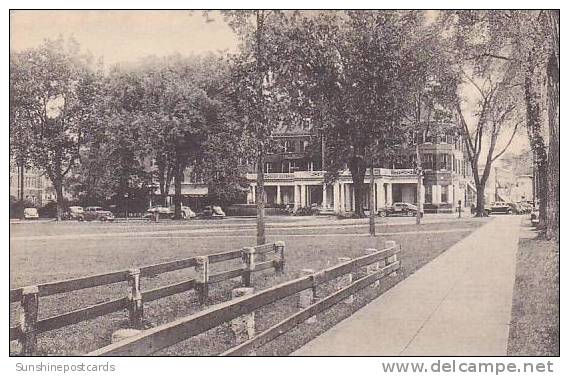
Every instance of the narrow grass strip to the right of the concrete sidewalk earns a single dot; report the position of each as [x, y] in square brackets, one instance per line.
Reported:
[534, 328]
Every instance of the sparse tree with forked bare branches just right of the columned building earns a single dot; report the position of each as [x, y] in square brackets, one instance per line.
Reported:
[489, 95]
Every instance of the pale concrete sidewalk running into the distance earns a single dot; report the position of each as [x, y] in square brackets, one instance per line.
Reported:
[458, 304]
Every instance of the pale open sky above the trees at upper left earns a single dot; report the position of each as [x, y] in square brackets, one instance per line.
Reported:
[120, 36]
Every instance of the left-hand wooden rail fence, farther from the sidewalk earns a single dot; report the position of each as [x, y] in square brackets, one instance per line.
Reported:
[29, 327]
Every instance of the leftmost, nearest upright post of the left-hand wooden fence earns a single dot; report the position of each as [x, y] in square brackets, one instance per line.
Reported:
[28, 319]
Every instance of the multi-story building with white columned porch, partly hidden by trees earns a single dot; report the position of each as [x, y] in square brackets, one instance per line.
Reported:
[294, 175]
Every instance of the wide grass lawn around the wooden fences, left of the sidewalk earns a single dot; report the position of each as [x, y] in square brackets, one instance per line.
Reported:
[37, 261]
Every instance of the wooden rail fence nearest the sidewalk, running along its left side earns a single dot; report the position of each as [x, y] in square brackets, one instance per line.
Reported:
[377, 264]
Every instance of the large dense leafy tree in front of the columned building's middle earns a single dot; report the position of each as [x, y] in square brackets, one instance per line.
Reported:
[346, 76]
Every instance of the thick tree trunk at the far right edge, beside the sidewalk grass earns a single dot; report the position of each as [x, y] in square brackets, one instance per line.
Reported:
[552, 215]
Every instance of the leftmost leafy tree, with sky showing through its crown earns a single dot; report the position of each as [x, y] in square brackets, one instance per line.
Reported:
[58, 105]
